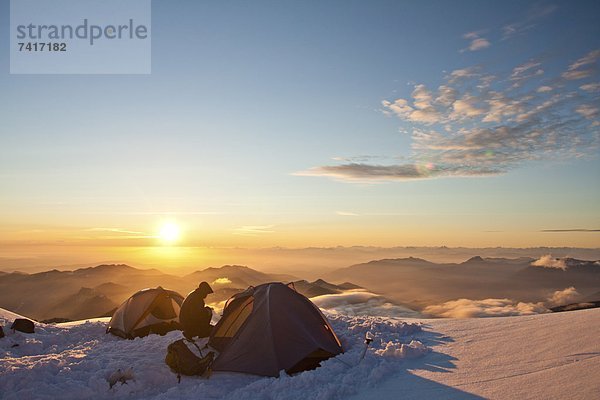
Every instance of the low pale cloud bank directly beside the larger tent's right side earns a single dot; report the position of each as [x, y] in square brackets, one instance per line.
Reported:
[361, 302]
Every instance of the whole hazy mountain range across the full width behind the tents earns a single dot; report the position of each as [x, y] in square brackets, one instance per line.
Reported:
[97, 291]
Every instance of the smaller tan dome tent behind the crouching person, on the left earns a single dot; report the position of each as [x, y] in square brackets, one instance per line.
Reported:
[147, 311]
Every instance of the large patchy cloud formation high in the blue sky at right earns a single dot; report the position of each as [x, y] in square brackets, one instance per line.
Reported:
[479, 124]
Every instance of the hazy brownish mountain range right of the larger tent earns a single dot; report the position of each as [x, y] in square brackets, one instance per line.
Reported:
[420, 282]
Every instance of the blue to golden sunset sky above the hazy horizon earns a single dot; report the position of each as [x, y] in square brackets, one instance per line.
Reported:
[312, 124]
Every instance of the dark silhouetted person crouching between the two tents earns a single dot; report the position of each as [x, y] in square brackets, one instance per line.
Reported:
[194, 316]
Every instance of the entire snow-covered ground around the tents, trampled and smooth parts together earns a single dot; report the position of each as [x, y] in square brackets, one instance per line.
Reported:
[549, 356]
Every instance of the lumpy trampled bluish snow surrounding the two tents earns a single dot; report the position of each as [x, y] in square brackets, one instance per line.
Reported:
[76, 360]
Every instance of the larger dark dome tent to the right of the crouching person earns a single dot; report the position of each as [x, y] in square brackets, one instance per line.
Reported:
[269, 328]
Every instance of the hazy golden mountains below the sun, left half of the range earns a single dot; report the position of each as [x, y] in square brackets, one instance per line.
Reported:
[92, 291]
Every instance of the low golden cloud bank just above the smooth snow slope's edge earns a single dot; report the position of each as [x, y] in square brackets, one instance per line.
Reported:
[467, 308]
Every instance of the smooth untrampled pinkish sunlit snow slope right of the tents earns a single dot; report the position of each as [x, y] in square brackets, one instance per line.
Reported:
[546, 356]
